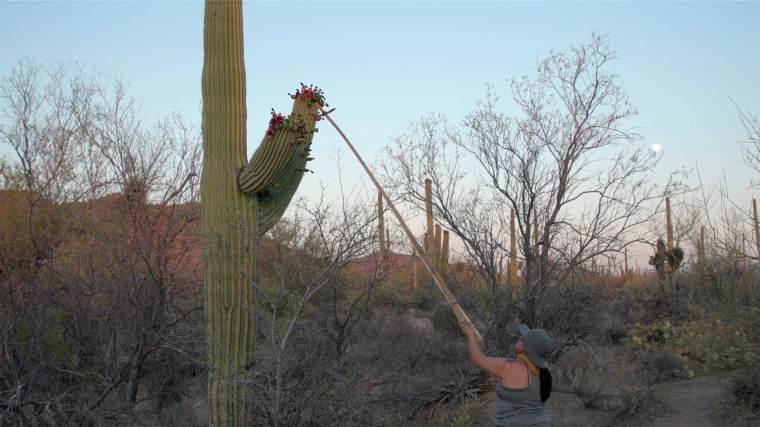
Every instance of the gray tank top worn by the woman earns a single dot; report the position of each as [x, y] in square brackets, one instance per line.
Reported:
[521, 406]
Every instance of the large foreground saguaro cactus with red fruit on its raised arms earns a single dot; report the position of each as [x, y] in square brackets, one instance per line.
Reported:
[240, 200]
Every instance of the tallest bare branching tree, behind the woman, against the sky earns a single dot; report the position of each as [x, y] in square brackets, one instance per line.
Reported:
[569, 167]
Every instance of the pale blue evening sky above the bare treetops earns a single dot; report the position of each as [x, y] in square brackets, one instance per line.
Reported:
[383, 64]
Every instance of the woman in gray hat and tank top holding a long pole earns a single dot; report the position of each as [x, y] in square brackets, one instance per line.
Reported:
[524, 383]
